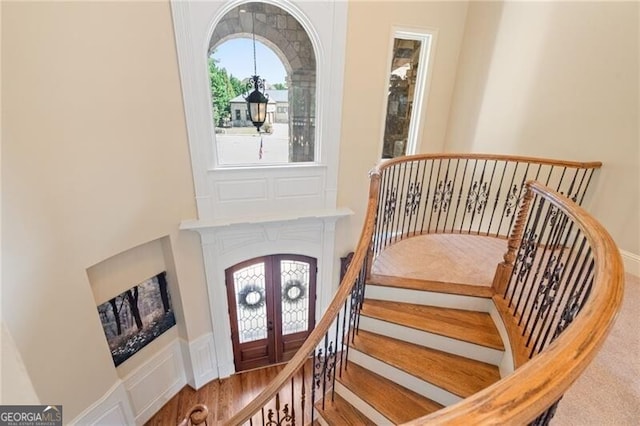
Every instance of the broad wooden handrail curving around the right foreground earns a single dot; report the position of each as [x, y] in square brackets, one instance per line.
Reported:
[520, 397]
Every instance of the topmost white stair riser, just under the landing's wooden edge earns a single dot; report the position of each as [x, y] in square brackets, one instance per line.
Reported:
[444, 300]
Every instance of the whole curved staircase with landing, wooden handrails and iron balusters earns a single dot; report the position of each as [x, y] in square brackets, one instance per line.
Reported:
[415, 331]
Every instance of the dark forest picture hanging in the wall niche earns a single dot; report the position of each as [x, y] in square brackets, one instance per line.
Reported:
[136, 317]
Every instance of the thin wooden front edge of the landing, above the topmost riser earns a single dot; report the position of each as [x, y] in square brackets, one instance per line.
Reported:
[434, 286]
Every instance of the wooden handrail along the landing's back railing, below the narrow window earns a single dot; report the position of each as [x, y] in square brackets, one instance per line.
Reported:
[511, 158]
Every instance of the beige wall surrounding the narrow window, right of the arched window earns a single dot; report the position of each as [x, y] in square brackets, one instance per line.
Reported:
[369, 34]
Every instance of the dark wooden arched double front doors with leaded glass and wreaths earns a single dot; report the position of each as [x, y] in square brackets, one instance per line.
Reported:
[271, 308]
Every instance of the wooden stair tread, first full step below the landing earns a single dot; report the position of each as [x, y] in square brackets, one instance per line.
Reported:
[468, 326]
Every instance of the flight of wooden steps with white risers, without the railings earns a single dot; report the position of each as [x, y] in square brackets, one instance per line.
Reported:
[421, 345]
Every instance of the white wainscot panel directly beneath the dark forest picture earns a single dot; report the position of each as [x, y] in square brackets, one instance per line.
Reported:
[155, 382]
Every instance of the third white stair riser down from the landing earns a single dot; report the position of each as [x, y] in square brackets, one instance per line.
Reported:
[402, 378]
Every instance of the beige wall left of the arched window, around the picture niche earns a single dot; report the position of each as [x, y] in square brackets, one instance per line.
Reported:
[94, 162]
